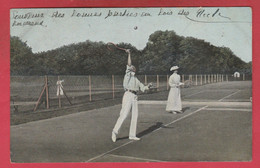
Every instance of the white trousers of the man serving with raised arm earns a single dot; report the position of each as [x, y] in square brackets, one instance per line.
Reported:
[129, 103]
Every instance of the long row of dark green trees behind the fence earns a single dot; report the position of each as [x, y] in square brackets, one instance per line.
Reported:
[163, 50]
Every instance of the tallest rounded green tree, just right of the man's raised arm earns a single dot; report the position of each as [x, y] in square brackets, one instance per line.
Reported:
[160, 53]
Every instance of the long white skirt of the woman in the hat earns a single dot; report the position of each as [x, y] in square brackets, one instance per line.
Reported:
[174, 100]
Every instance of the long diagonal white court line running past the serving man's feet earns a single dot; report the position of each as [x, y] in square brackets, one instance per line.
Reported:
[96, 157]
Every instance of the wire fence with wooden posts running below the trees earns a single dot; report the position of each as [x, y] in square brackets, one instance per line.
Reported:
[32, 93]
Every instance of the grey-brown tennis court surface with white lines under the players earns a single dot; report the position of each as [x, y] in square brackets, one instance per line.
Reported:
[216, 126]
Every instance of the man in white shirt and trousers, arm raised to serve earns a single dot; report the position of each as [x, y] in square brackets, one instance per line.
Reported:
[131, 85]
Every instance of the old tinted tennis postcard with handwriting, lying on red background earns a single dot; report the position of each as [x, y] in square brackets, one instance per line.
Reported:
[171, 84]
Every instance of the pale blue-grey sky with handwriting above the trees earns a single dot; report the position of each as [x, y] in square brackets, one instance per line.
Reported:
[47, 29]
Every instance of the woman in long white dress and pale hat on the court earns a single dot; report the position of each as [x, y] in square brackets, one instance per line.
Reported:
[174, 98]
